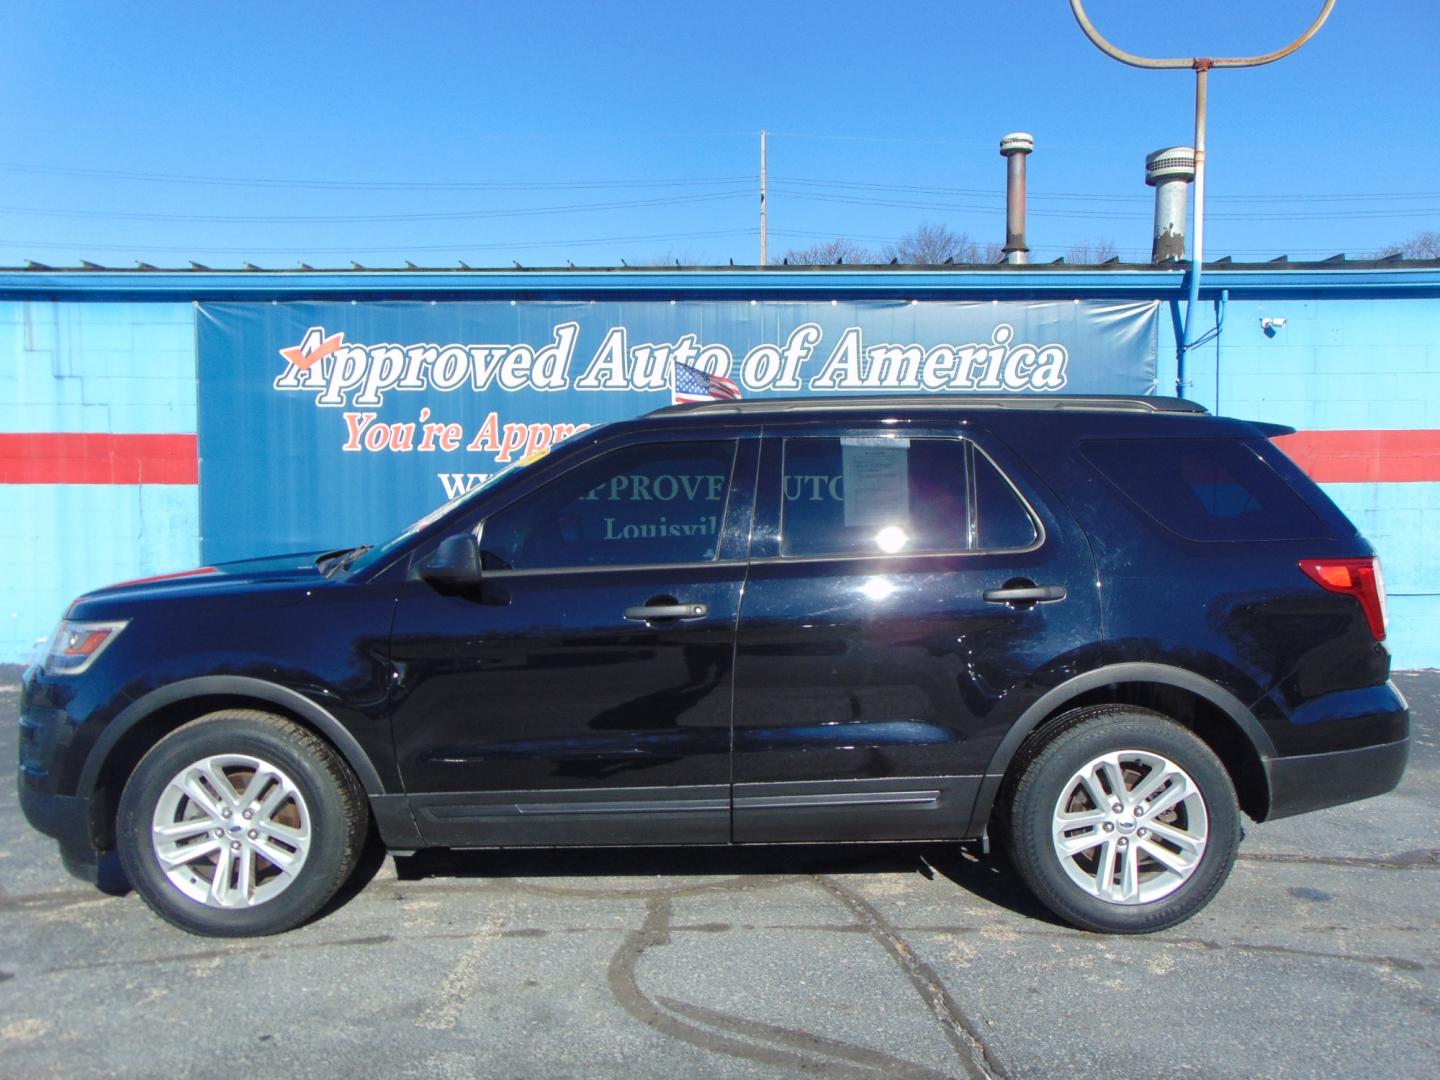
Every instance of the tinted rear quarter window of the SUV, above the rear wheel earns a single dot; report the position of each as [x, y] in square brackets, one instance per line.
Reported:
[1207, 489]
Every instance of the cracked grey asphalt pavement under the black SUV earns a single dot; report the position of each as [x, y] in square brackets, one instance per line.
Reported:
[1320, 958]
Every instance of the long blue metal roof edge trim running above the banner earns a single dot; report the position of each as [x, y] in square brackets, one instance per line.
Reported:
[1052, 280]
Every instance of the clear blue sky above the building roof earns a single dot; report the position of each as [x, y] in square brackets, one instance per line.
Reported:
[545, 132]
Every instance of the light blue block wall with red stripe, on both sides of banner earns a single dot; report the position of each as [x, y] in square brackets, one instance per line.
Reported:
[77, 512]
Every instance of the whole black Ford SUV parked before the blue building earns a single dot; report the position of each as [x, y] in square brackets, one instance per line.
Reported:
[1098, 629]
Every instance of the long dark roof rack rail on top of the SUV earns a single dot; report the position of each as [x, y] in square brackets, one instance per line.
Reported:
[940, 401]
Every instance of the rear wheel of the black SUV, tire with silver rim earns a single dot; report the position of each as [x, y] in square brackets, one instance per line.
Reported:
[1150, 865]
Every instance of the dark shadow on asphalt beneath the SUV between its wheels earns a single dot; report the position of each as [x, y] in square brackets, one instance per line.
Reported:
[989, 878]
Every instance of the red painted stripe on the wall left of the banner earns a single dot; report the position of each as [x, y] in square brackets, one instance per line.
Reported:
[76, 459]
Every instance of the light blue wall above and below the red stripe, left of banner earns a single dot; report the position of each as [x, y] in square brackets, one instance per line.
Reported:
[97, 368]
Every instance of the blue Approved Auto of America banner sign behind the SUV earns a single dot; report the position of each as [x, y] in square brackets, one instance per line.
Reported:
[333, 424]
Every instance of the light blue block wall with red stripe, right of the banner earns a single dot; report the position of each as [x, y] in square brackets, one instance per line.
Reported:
[1366, 374]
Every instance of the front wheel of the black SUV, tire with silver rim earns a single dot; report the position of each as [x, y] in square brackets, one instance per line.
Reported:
[240, 824]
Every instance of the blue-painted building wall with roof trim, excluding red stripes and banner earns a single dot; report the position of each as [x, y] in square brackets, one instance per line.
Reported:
[116, 354]
